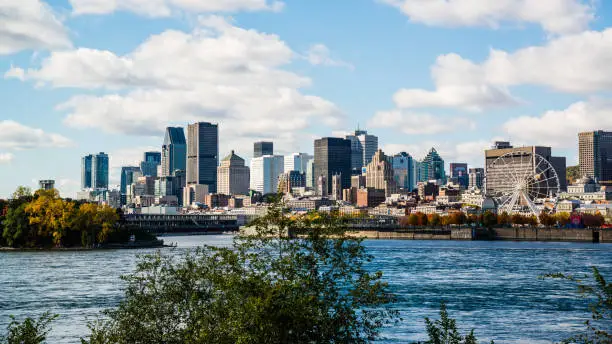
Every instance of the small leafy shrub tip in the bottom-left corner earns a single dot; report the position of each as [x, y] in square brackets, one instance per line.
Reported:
[30, 331]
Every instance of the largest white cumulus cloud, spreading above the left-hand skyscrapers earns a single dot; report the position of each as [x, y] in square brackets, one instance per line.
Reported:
[217, 73]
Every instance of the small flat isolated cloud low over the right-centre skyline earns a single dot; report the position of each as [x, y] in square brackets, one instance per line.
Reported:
[416, 123]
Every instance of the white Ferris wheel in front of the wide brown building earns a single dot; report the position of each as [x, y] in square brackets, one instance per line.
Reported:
[522, 183]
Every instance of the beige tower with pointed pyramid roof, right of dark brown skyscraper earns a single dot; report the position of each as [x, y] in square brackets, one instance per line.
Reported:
[233, 177]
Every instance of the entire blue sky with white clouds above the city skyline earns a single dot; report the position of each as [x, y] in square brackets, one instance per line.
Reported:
[83, 76]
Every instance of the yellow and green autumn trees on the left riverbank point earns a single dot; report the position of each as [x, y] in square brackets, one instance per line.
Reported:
[42, 219]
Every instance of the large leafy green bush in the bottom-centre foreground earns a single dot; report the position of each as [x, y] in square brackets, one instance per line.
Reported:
[291, 280]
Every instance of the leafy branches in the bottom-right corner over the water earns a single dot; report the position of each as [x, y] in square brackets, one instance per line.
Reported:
[599, 292]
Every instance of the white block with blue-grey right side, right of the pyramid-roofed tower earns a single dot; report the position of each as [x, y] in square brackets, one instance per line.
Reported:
[264, 173]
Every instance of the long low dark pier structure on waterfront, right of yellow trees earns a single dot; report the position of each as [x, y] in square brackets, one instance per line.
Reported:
[183, 223]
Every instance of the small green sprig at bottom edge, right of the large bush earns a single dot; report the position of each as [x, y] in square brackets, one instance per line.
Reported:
[444, 330]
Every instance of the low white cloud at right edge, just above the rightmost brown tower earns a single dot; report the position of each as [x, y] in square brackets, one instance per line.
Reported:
[560, 129]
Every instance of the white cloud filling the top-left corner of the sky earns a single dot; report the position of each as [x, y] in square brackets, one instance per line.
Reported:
[30, 24]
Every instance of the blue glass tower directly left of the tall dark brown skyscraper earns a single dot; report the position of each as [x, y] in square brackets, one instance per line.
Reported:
[174, 151]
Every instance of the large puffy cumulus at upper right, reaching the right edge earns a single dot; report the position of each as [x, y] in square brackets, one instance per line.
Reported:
[574, 64]
